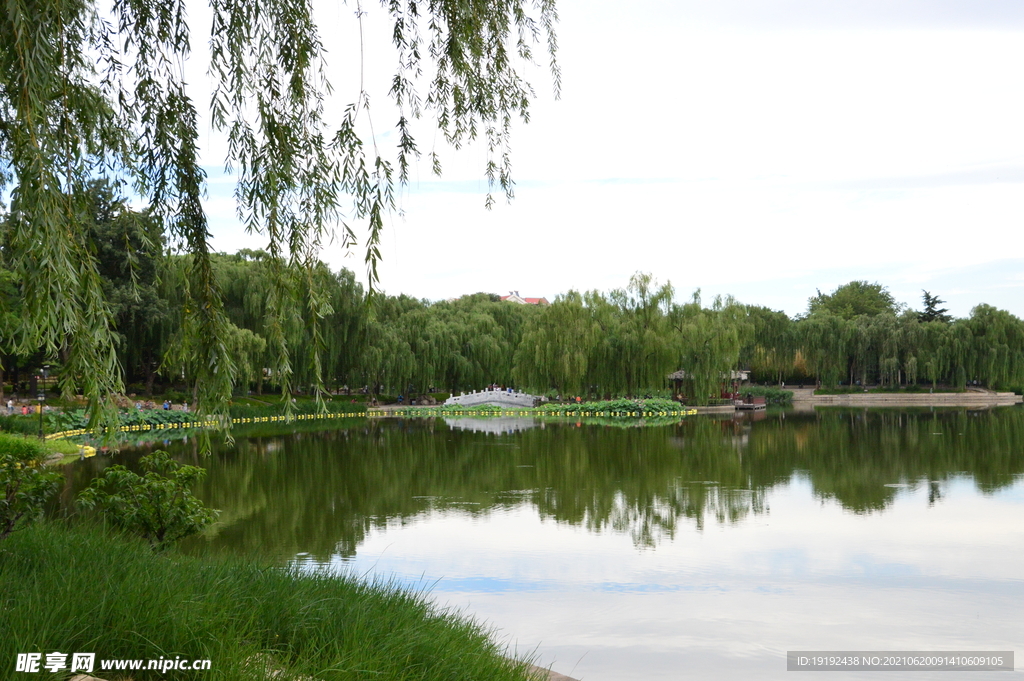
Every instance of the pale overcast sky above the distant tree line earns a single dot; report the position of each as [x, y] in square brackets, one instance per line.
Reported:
[759, 149]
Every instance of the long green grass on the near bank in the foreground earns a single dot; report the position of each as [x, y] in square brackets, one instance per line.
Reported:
[81, 589]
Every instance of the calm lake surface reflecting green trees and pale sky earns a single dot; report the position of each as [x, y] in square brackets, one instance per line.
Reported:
[702, 549]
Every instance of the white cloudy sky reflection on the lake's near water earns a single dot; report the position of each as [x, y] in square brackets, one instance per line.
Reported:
[729, 602]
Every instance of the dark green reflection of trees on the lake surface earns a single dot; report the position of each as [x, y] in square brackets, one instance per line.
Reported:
[321, 493]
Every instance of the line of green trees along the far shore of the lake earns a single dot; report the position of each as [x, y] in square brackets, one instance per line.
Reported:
[624, 343]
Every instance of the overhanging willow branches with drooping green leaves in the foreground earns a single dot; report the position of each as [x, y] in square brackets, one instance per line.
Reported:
[90, 90]
